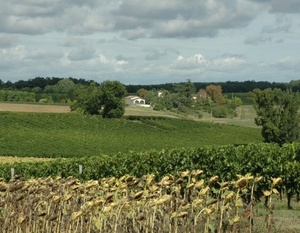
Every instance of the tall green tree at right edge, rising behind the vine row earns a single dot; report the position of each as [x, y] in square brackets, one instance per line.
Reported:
[277, 114]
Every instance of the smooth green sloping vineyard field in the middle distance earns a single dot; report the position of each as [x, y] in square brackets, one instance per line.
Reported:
[71, 134]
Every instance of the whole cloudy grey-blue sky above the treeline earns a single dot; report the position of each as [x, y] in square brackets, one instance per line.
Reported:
[150, 41]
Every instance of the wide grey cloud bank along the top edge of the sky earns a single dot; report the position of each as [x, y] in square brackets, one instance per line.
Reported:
[131, 18]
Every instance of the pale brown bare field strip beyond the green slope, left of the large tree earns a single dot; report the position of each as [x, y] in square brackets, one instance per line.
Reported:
[16, 107]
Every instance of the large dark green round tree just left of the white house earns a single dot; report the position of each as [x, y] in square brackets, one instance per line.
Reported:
[105, 100]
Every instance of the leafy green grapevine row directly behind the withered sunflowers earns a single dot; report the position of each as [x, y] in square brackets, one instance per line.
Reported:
[267, 160]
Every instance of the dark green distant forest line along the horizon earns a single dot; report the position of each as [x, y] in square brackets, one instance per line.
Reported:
[227, 87]
